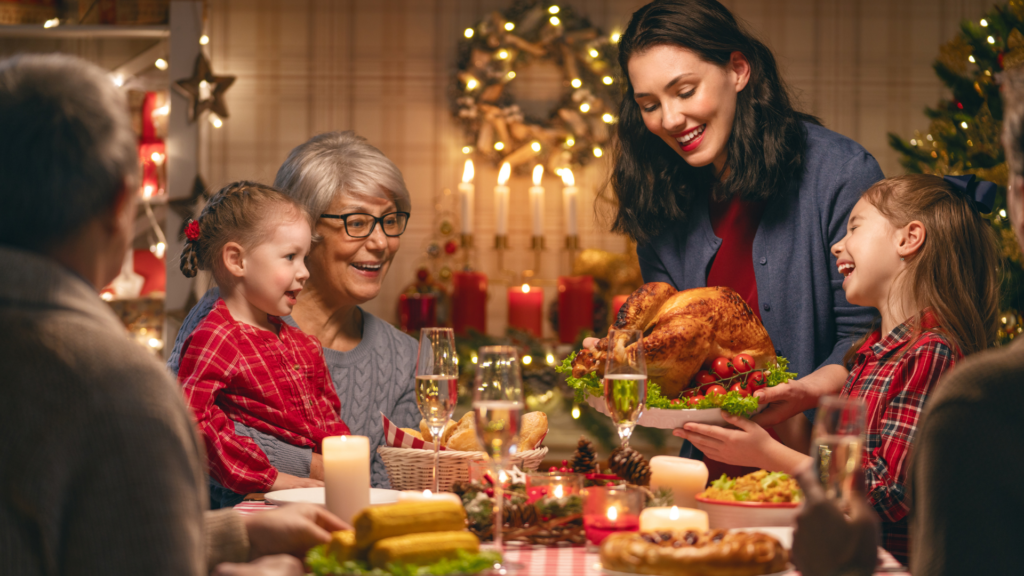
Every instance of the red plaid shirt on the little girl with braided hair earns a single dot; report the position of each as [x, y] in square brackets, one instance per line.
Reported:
[279, 385]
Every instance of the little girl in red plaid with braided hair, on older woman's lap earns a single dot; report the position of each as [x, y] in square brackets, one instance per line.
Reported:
[242, 364]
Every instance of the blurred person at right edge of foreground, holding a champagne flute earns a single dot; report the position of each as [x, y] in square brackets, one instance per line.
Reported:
[965, 478]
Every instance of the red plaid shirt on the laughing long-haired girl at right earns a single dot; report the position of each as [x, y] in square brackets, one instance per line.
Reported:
[894, 377]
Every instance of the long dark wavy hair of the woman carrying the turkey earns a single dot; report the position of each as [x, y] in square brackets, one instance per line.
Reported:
[655, 187]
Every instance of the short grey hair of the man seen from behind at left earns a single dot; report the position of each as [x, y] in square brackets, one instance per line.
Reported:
[67, 148]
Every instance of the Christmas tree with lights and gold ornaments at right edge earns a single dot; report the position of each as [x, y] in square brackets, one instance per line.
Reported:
[964, 135]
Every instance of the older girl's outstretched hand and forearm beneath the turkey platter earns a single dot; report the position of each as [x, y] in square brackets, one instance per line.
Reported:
[749, 446]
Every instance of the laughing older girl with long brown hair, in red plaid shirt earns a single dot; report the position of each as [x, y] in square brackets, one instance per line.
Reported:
[917, 250]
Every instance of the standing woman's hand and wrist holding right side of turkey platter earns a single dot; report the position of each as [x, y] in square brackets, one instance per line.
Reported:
[790, 399]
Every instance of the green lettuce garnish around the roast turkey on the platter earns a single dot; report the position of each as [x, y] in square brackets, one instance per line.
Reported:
[733, 402]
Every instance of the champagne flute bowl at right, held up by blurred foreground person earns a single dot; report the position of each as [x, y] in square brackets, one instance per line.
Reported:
[838, 444]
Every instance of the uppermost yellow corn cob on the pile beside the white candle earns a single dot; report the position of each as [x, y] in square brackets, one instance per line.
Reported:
[377, 523]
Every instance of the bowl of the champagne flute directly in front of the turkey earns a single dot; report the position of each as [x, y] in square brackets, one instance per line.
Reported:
[625, 381]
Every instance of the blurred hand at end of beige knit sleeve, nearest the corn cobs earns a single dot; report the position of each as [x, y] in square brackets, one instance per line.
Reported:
[290, 530]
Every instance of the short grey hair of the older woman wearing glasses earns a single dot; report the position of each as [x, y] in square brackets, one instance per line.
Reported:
[334, 163]
